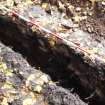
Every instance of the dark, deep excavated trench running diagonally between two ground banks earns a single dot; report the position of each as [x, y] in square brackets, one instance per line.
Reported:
[65, 67]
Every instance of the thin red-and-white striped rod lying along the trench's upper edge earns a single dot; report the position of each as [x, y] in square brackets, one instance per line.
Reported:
[67, 42]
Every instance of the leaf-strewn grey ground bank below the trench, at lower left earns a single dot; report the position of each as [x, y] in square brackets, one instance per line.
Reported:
[20, 84]
